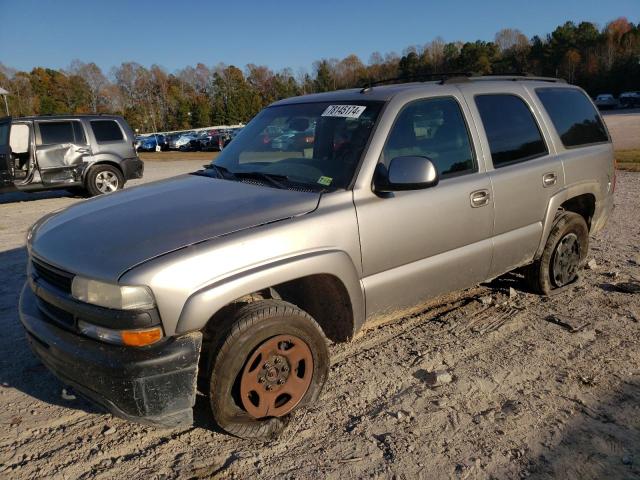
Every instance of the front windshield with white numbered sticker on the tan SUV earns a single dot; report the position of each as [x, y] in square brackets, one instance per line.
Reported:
[317, 144]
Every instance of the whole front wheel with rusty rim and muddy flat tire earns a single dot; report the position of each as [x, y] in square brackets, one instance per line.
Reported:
[274, 360]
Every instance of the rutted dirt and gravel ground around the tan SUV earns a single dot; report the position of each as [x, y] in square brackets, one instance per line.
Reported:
[527, 397]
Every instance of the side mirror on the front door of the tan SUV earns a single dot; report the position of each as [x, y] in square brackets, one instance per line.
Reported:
[407, 173]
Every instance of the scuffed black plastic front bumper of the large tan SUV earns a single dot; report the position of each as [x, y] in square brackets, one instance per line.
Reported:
[153, 385]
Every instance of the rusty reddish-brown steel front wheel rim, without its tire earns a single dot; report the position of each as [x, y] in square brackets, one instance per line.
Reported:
[276, 377]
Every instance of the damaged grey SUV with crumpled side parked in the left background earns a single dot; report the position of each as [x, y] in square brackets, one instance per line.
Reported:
[93, 153]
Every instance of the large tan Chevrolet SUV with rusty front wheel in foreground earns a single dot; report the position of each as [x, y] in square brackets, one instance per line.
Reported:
[230, 280]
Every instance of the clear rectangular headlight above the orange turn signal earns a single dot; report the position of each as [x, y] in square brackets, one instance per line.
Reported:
[111, 296]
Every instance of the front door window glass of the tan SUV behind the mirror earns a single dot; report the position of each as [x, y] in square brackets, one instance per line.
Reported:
[432, 128]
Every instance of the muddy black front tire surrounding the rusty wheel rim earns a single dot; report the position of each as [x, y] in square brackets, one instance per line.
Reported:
[253, 325]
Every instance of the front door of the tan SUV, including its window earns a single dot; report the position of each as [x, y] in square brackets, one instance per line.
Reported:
[419, 244]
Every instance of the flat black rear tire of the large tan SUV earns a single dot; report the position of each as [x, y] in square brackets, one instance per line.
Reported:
[567, 226]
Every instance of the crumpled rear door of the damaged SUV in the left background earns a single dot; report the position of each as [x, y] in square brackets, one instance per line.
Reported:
[61, 146]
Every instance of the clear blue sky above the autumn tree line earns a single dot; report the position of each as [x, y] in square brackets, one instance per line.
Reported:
[285, 33]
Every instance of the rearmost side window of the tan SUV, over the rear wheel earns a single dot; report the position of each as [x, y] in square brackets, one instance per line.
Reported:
[574, 117]
